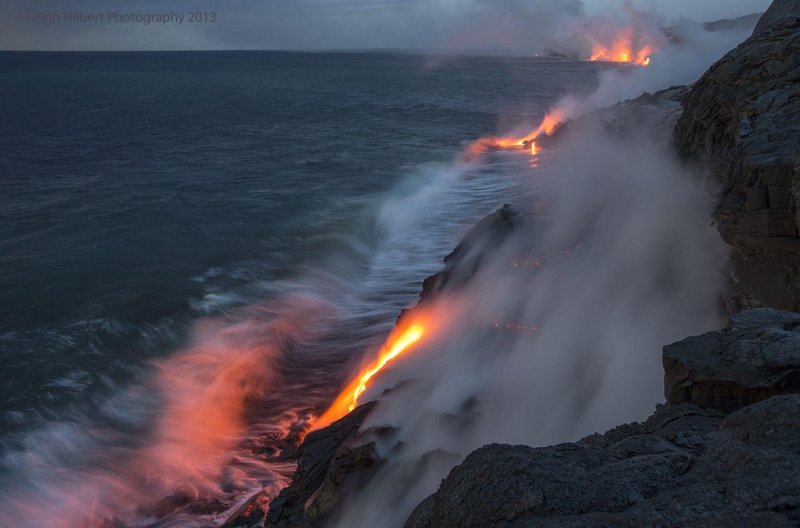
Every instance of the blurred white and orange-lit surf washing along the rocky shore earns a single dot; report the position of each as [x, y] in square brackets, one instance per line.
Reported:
[245, 379]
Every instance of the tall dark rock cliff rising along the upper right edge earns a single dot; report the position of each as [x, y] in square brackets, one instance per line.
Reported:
[742, 120]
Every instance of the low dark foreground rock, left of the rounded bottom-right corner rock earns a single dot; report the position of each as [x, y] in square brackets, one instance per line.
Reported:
[502, 485]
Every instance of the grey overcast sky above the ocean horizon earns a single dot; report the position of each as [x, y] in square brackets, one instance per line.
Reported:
[442, 25]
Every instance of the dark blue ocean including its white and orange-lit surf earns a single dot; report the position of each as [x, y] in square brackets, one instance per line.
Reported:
[196, 249]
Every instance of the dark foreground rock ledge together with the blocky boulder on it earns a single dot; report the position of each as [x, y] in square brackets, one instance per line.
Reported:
[690, 464]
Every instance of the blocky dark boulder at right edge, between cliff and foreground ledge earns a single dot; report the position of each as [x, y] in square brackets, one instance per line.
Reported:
[755, 357]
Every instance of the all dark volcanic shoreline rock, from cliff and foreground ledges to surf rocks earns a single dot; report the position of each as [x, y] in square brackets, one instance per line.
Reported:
[724, 448]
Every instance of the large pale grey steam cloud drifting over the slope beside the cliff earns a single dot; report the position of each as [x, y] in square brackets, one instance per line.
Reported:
[621, 261]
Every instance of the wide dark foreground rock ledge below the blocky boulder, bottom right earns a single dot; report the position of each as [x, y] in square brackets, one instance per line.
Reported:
[743, 474]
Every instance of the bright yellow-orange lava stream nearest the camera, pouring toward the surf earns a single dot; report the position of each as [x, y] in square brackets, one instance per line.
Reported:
[399, 342]
